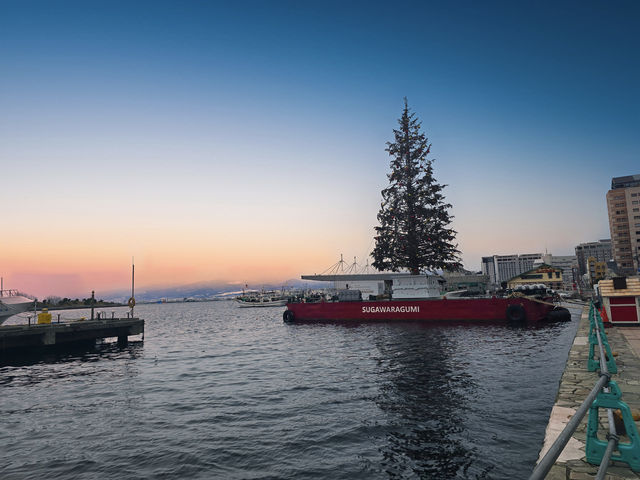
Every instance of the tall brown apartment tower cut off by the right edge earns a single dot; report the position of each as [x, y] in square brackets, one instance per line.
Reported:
[623, 204]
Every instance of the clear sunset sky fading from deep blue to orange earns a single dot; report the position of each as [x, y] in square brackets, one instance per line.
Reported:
[245, 141]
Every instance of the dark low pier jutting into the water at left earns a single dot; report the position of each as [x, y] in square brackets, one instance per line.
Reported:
[14, 338]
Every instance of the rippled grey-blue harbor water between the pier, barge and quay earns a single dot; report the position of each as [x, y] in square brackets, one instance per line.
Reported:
[217, 391]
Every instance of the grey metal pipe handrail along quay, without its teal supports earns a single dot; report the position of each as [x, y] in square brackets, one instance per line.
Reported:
[544, 466]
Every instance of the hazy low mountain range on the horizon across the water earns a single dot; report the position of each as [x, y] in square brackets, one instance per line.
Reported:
[202, 291]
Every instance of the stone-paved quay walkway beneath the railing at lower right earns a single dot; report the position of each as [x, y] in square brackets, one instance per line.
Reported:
[575, 385]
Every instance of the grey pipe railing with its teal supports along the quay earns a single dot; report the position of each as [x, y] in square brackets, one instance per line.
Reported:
[604, 394]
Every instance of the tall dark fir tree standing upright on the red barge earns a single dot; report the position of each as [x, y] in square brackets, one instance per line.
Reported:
[414, 231]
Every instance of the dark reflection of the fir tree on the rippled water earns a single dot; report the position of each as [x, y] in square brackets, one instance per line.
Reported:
[424, 397]
